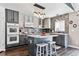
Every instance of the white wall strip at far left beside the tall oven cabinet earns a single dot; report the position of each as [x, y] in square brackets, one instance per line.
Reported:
[2, 29]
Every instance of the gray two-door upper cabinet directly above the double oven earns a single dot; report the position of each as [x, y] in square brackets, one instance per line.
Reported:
[12, 16]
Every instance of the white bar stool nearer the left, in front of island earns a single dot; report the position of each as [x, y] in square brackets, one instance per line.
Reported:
[42, 49]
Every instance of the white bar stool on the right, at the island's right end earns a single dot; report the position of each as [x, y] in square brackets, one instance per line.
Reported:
[52, 48]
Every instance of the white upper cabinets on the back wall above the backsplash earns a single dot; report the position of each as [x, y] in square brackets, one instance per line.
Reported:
[31, 21]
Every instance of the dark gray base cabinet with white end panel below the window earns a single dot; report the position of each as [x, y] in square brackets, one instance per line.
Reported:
[61, 40]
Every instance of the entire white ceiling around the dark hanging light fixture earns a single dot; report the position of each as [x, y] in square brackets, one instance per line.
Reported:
[51, 9]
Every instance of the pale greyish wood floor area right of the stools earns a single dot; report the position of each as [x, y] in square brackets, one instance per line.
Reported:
[68, 52]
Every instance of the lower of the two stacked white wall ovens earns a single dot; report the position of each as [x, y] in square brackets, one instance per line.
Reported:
[12, 39]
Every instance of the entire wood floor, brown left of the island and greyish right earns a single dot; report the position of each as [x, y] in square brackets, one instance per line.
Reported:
[23, 51]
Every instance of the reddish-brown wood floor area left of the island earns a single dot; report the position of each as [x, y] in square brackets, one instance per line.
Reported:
[16, 51]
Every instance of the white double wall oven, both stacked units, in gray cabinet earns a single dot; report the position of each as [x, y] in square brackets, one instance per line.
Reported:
[12, 33]
